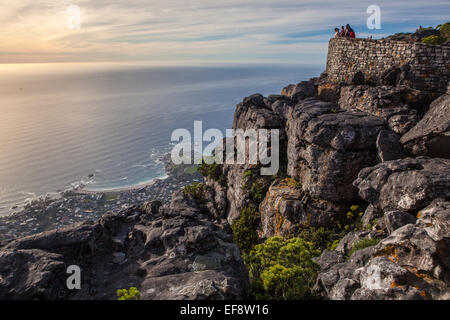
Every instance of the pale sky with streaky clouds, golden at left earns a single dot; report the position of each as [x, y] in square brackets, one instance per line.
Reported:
[195, 31]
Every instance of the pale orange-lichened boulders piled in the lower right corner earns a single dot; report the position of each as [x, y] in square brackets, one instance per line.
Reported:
[412, 262]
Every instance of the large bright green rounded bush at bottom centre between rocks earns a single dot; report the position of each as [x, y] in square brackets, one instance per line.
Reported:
[282, 269]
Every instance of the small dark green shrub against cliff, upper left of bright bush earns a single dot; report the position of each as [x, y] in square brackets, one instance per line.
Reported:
[244, 229]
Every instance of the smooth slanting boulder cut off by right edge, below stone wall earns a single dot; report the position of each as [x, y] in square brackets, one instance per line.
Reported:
[431, 136]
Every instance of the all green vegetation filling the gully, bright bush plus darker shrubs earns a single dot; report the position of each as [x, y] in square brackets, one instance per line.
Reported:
[282, 268]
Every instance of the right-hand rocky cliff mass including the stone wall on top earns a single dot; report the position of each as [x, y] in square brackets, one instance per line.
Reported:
[377, 137]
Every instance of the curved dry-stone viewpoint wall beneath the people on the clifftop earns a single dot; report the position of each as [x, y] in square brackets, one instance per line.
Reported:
[430, 64]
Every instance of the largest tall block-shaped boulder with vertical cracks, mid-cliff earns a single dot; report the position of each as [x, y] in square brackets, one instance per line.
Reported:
[327, 148]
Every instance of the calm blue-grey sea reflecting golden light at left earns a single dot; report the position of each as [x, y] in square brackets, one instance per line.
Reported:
[61, 123]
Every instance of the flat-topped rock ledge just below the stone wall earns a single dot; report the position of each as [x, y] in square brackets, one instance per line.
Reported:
[383, 101]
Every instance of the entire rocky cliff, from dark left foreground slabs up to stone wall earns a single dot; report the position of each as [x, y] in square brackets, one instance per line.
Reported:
[371, 140]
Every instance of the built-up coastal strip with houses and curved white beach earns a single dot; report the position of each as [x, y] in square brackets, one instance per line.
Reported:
[78, 204]
